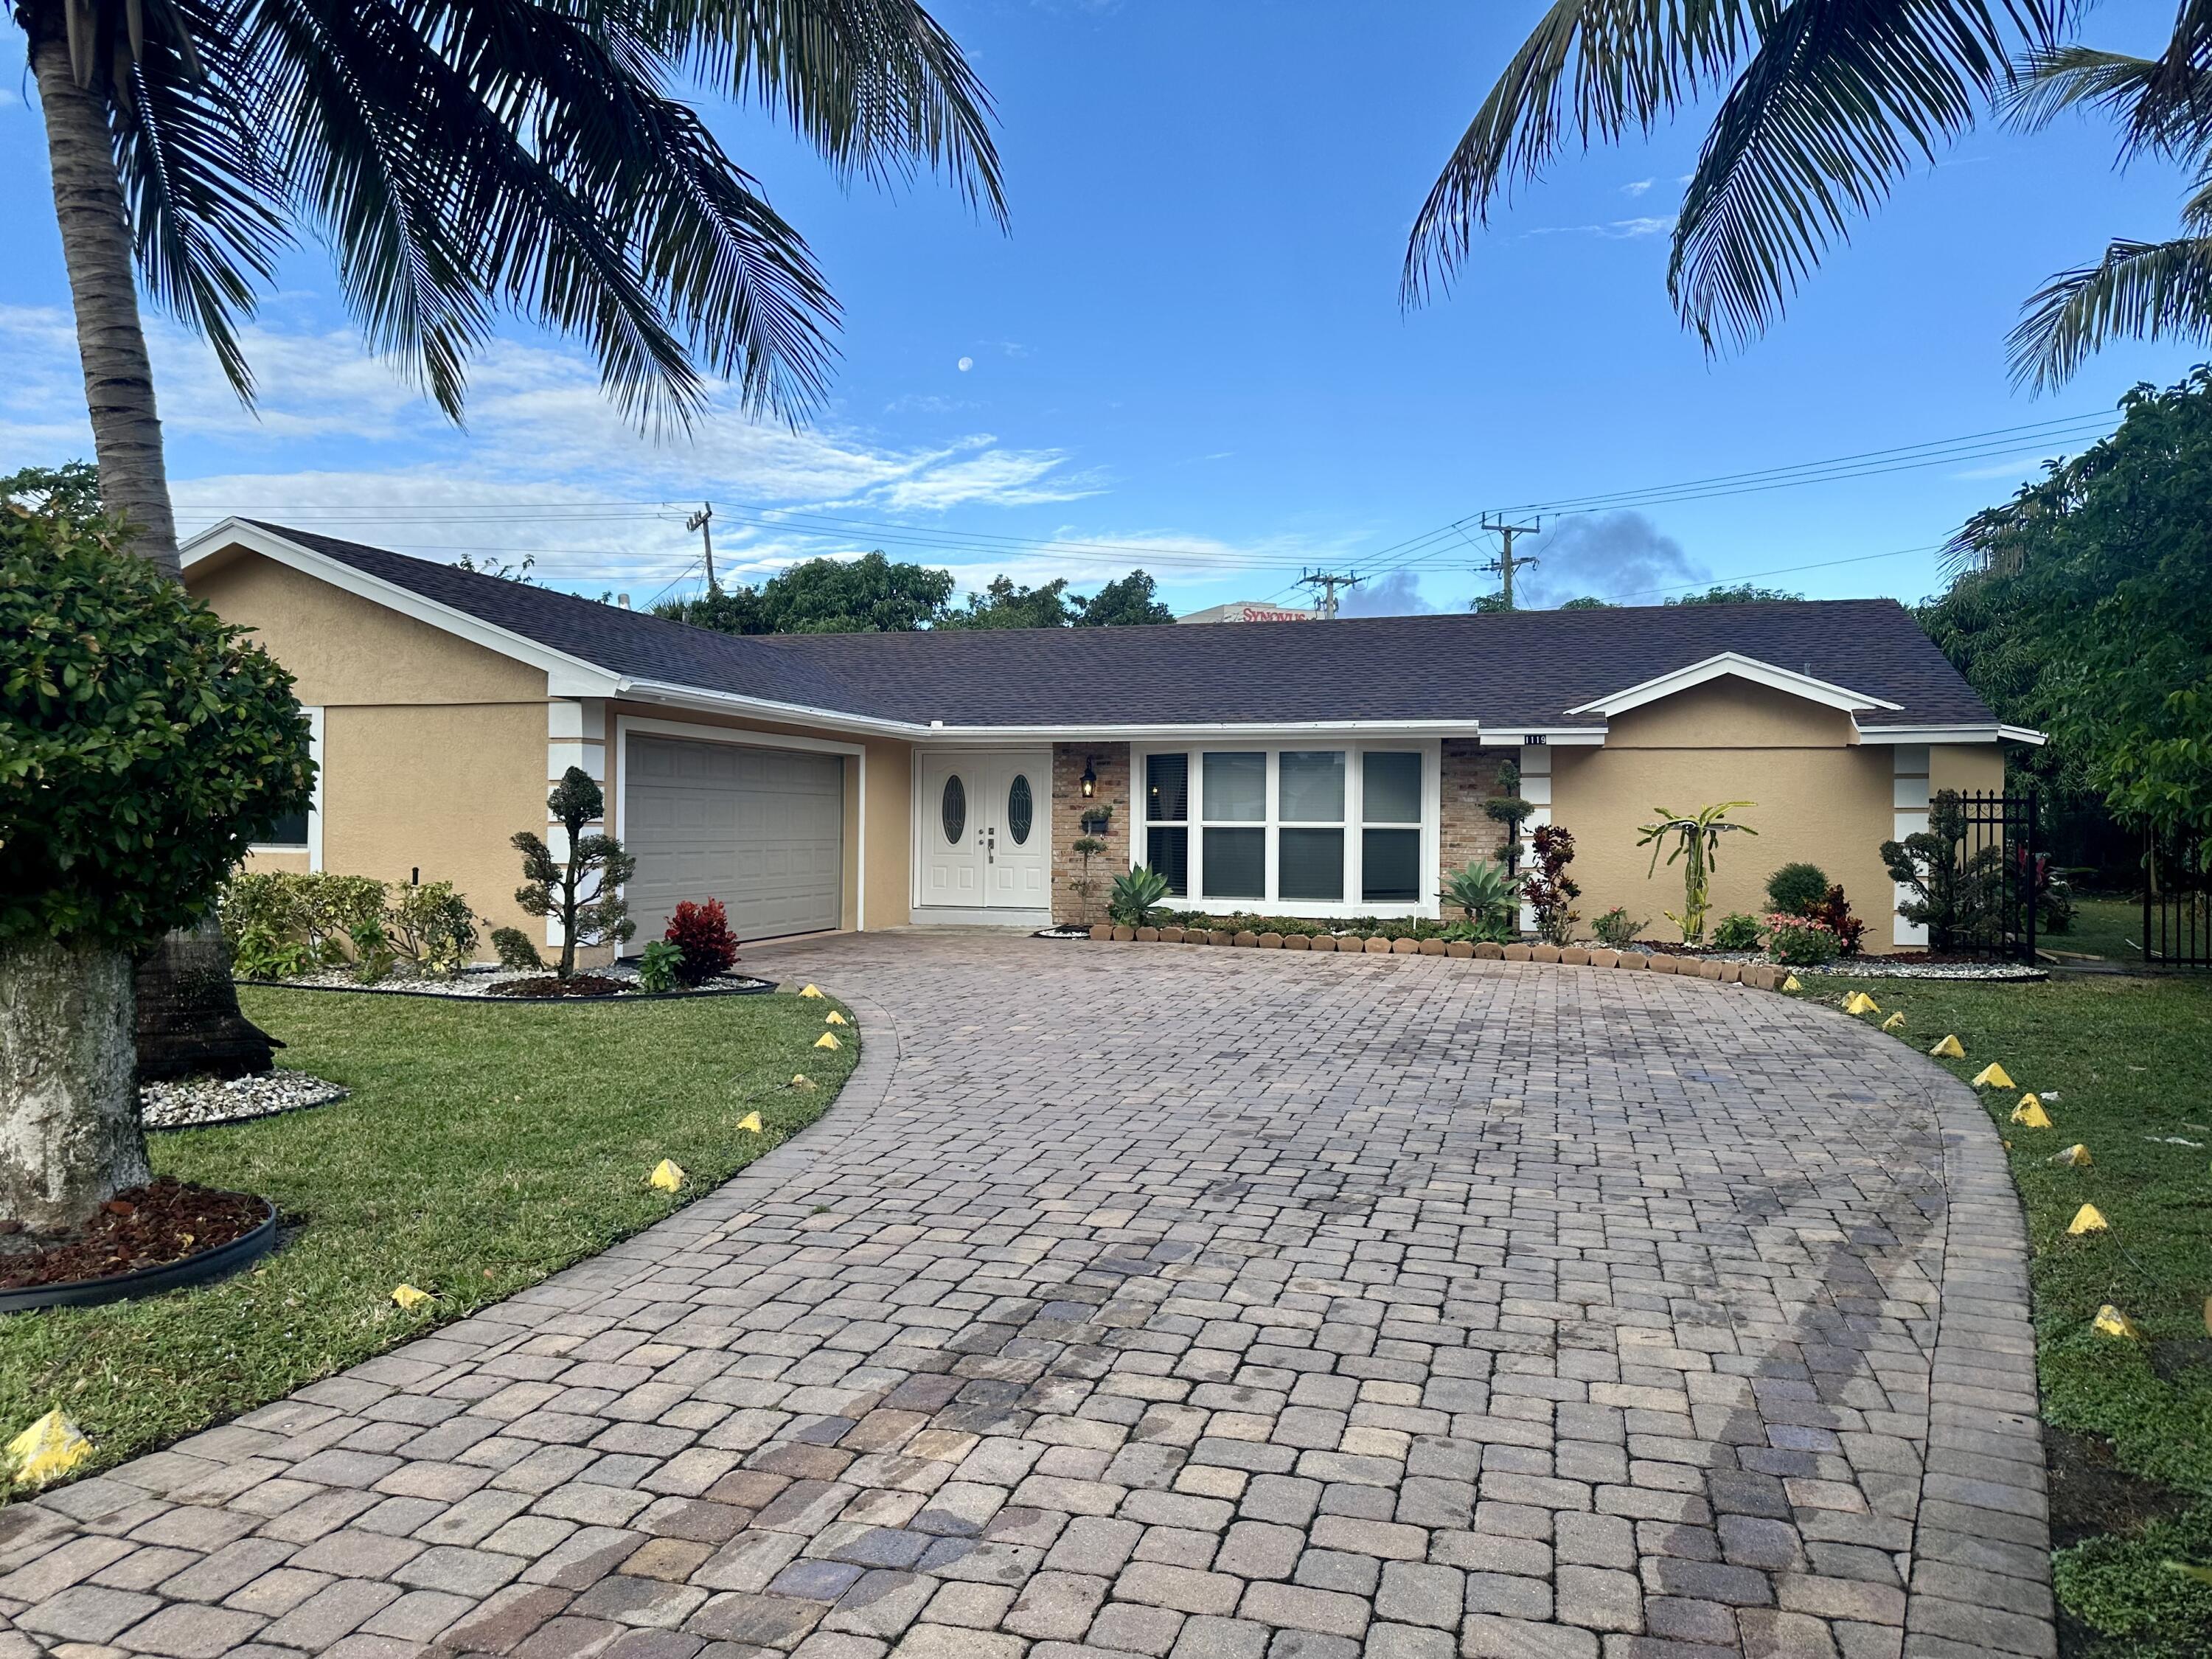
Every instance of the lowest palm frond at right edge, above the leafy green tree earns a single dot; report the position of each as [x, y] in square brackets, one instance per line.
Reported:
[2138, 291]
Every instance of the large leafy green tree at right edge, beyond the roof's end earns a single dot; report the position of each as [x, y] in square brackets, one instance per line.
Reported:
[2085, 607]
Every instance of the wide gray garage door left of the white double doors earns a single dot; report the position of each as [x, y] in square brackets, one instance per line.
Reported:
[762, 831]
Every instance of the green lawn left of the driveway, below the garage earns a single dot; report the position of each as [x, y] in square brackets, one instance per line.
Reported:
[483, 1149]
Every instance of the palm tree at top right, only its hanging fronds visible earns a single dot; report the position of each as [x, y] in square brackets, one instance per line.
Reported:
[1824, 107]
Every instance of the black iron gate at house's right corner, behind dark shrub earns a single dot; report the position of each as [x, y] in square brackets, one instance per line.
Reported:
[1981, 875]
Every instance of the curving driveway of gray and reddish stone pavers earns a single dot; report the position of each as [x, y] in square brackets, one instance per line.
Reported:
[1202, 1304]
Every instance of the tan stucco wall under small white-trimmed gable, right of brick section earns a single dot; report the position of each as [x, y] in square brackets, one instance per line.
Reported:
[1817, 795]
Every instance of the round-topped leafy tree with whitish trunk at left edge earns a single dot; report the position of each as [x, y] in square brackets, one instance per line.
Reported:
[143, 749]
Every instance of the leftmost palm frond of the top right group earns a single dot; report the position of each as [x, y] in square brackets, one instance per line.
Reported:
[1592, 70]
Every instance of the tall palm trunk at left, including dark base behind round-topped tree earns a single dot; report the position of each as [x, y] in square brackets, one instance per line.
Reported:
[187, 1010]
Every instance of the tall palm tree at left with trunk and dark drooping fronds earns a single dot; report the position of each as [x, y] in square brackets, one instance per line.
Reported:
[461, 160]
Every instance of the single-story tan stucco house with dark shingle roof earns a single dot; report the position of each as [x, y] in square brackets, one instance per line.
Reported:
[851, 782]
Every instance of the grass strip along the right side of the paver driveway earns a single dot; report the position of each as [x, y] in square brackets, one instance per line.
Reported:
[2125, 1067]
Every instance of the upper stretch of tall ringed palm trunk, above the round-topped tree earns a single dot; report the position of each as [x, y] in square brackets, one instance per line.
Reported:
[103, 286]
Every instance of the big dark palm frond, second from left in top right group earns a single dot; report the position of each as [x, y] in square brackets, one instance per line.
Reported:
[1839, 101]
